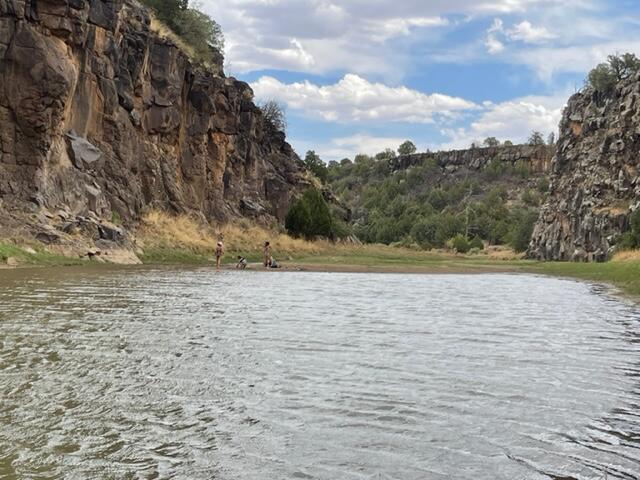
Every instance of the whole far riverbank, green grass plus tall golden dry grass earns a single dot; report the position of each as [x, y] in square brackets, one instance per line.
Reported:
[166, 240]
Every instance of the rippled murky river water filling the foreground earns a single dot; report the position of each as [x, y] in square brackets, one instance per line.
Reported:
[189, 374]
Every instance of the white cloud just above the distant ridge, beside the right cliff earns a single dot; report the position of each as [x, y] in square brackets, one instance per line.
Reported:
[511, 120]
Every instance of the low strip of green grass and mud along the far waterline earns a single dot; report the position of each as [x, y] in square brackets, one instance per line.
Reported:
[621, 276]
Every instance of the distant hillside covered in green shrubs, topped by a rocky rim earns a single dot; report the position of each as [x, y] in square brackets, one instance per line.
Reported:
[489, 194]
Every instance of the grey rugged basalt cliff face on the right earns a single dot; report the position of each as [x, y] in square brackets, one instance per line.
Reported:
[595, 184]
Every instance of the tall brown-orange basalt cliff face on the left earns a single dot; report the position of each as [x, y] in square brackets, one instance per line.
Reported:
[98, 115]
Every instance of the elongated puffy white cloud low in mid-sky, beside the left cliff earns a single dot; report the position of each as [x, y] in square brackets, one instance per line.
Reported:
[355, 99]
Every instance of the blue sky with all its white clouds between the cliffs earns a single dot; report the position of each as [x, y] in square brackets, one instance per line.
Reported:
[359, 76]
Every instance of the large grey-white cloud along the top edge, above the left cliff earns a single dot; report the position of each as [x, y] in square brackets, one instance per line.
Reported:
[352, 35]
